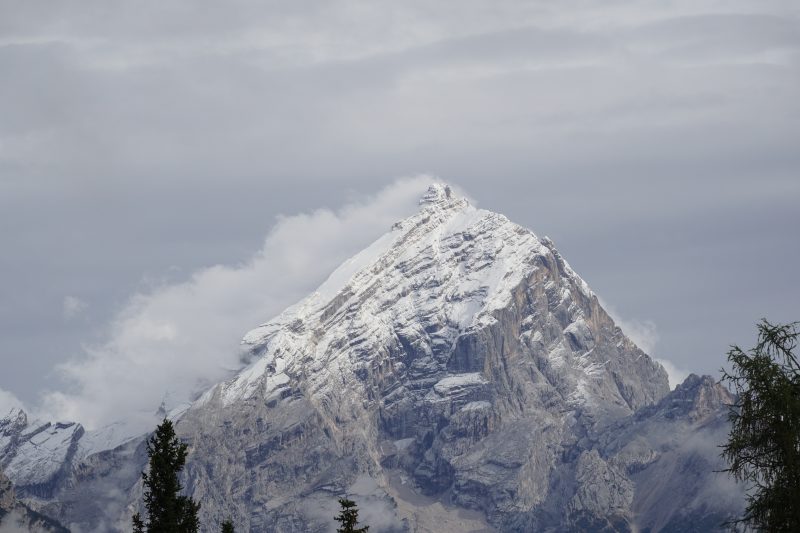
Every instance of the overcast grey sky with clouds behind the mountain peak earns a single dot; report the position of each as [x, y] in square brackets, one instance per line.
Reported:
[172, 173]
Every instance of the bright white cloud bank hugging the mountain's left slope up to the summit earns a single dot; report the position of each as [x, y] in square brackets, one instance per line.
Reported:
[178, 339]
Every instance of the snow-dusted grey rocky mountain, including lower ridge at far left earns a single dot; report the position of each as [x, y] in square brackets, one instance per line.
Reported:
[456, 375]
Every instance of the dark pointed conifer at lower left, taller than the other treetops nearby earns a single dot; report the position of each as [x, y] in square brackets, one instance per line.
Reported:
[167, 510]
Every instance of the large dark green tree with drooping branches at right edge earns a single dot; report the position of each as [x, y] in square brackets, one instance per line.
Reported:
[763, 447]
